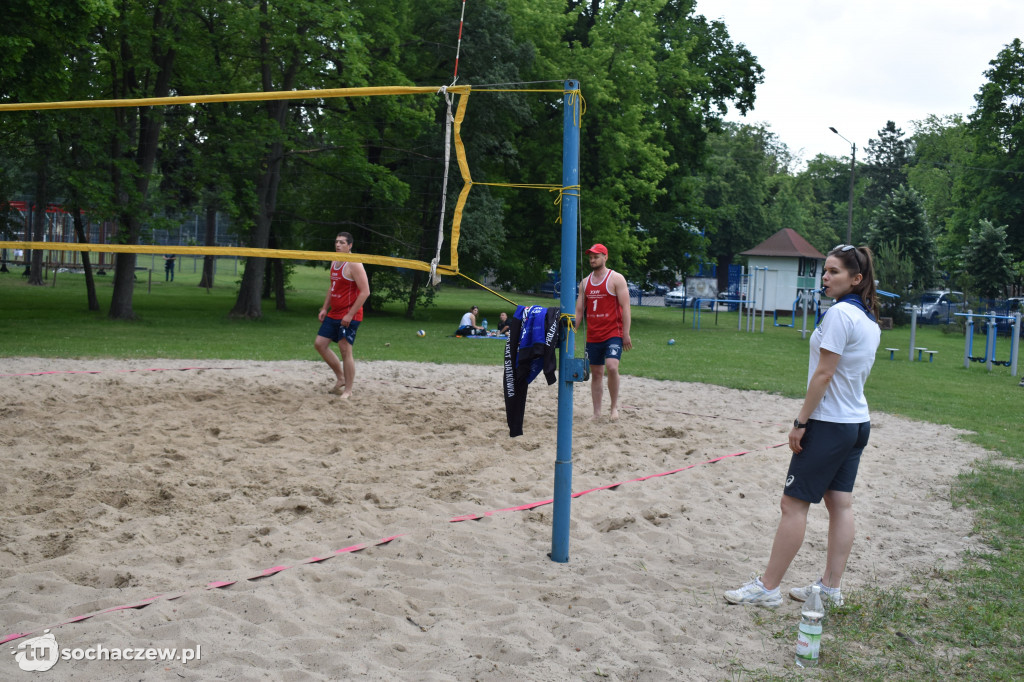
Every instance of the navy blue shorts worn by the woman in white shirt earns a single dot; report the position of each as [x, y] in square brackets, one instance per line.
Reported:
[829, 460]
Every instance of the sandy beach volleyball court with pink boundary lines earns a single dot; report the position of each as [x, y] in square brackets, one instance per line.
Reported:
[120, 487]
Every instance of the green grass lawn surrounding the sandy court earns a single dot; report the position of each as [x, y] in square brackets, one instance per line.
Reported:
[966, 623]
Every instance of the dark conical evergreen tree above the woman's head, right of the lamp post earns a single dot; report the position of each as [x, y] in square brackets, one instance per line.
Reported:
[902, 219]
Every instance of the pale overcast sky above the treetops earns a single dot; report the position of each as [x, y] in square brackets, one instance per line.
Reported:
[856, 65]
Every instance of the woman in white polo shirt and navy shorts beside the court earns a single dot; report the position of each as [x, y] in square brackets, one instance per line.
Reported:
[831, 432]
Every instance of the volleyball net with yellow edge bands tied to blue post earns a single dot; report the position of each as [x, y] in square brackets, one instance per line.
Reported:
[401, 243]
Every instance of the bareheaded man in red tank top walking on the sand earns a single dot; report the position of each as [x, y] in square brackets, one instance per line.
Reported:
[340, 317]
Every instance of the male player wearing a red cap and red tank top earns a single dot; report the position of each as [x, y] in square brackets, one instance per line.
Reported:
[604, 305]
